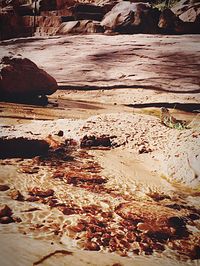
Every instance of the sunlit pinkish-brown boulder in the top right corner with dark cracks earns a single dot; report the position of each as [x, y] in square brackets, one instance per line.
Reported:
[187, 10]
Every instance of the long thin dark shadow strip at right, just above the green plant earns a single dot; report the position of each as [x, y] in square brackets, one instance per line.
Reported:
[187, 107]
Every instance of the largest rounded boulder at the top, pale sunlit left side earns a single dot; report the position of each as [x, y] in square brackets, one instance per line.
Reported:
[128, 17]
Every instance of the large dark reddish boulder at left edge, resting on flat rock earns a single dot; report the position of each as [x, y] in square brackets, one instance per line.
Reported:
[20, 77]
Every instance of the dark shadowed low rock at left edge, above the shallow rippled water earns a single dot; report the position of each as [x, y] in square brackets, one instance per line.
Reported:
[22, 147]
